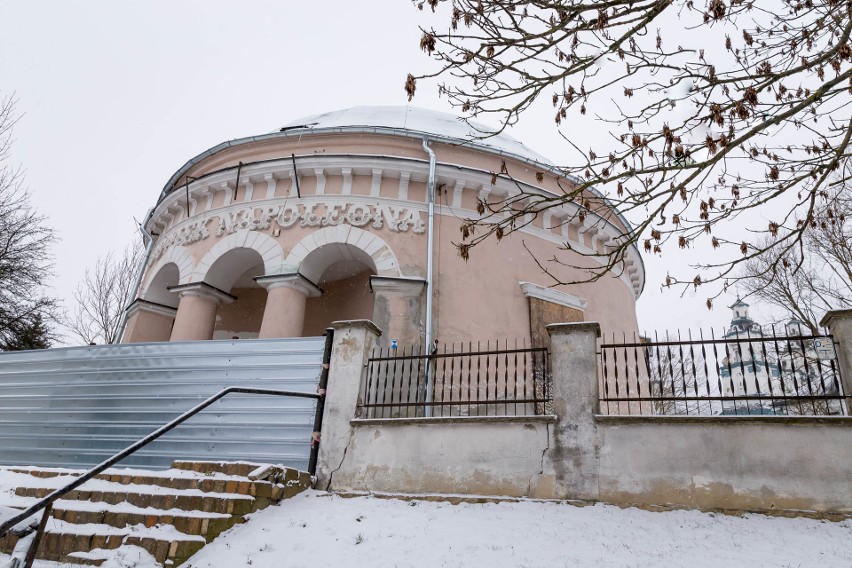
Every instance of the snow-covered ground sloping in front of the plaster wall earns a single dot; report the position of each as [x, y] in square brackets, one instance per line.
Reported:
[318, 529]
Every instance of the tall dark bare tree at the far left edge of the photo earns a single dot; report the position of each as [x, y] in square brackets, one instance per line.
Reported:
[25, 260]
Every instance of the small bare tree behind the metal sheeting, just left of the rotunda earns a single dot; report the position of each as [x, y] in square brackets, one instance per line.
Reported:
[103, 295]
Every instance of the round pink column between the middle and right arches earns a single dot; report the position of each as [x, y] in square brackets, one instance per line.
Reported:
[286, 295]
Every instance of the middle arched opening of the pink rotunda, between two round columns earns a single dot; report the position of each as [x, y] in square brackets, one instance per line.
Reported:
[234, 273]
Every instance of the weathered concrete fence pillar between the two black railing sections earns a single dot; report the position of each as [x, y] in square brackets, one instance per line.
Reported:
[571, 468]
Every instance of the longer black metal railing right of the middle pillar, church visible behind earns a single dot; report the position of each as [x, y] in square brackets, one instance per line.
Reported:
[739, 373]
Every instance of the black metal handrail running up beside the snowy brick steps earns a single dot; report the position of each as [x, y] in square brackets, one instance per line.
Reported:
[47, 502]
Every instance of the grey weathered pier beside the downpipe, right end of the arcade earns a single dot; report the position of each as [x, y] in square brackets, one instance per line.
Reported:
[398, 309]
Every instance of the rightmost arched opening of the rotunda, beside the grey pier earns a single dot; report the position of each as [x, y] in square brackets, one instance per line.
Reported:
[343, 273]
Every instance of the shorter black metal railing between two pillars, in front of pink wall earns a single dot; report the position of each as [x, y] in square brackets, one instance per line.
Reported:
[458, 380]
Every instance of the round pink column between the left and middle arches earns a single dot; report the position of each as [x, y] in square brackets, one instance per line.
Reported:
[196, 314]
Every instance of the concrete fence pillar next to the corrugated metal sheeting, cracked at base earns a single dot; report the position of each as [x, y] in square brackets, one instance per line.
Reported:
[352, 345]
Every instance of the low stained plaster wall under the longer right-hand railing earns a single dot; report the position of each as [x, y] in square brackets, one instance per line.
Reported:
[773, 463]
